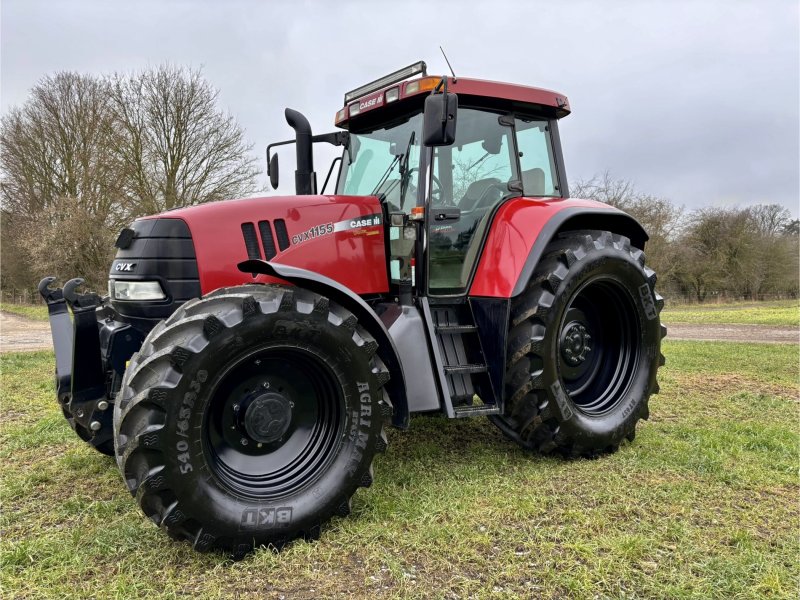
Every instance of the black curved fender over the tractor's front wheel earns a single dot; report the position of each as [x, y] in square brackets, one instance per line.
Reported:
[344, 296]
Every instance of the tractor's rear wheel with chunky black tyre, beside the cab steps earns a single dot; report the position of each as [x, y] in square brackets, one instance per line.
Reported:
[584, 347]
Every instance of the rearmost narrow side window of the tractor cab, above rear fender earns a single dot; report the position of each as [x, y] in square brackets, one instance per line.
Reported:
[536, 158]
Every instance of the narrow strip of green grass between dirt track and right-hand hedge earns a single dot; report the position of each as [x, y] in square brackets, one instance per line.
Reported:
[779, 312]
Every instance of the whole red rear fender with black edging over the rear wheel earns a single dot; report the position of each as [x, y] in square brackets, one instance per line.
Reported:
[523, 227]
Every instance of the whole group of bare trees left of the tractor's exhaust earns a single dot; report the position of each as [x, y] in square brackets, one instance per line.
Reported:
[85, 155]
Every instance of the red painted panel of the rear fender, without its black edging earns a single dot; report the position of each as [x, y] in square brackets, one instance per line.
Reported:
[515, 228]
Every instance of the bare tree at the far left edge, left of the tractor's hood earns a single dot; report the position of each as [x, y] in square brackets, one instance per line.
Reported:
[56, 170]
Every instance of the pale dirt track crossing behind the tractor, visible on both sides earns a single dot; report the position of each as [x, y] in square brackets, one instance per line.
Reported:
[21, 334]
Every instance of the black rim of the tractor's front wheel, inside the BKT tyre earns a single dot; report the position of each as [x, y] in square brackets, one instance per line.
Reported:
[273, 422]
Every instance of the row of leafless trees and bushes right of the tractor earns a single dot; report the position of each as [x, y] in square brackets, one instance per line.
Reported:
[730, 253]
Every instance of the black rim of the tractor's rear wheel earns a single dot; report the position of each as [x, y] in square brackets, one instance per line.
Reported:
[597, 345]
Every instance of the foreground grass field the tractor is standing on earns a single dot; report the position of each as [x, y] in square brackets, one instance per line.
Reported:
[704, 504]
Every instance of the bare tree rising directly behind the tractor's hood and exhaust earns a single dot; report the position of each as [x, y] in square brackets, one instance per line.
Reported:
[177, 147]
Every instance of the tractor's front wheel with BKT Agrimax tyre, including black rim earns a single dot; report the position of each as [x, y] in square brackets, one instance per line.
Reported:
[250, 417]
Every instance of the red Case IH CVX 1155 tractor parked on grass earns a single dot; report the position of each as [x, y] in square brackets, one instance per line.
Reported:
[249, 352]
